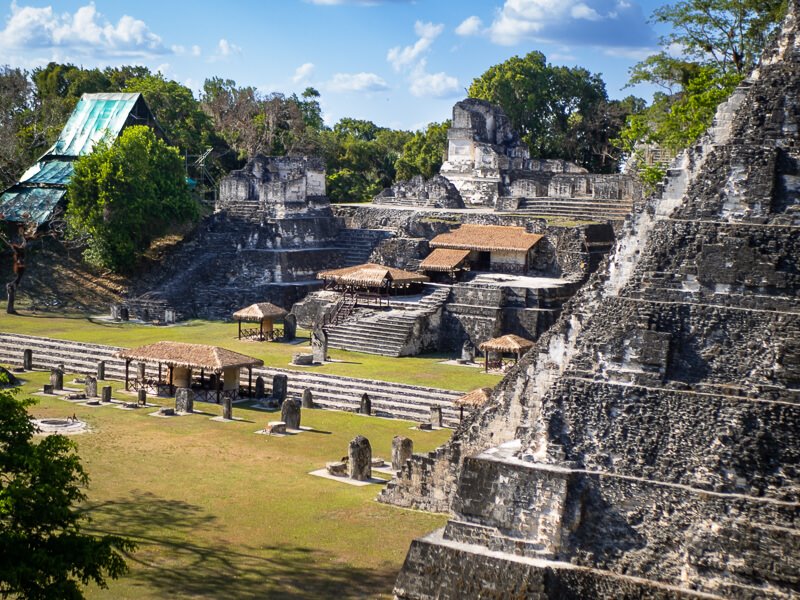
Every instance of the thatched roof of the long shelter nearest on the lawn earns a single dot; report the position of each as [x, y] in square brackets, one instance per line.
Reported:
[194, 356]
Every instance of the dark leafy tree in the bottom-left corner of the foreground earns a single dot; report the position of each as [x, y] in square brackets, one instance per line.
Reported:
[43, 551]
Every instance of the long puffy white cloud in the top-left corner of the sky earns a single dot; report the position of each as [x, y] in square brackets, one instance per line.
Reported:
[82, 33]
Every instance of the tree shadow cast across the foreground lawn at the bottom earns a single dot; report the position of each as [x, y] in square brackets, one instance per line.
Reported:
[173, 558]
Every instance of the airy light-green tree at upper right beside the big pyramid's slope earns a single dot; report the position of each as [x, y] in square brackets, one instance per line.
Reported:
[720, 43]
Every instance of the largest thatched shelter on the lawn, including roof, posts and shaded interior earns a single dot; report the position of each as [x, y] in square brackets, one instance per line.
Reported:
[219, 369]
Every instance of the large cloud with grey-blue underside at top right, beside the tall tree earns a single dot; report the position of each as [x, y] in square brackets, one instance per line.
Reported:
[617, 23]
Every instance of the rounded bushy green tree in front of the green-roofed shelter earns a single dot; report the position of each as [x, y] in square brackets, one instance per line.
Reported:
[124, 195]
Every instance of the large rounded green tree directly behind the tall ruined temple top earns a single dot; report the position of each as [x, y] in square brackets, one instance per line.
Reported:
[550, 106]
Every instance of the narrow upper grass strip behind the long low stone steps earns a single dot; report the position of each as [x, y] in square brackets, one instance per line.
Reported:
[425, 370]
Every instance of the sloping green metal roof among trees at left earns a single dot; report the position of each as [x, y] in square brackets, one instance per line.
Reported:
[96, 117]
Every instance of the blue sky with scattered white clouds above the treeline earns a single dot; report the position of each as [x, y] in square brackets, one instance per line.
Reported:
[399, 63]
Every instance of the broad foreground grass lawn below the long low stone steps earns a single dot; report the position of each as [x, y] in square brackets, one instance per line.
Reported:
[220, 512]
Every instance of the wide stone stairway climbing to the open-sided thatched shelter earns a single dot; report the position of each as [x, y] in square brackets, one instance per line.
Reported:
[395, 331]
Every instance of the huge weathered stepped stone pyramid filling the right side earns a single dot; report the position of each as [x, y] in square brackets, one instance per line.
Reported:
[649, 446]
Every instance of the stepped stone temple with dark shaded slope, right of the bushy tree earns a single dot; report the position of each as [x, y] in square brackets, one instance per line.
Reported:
[271, 231]
